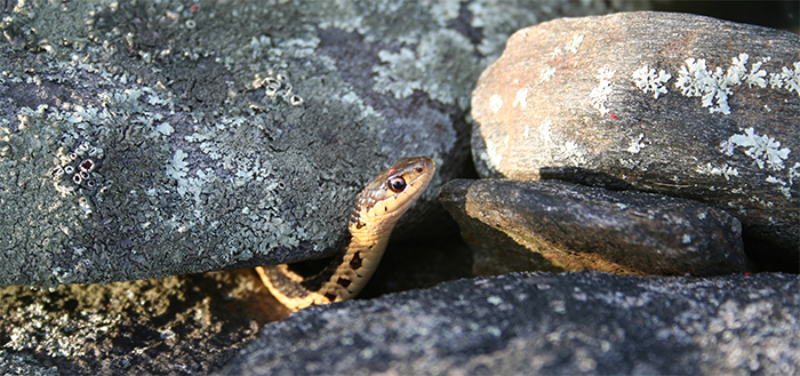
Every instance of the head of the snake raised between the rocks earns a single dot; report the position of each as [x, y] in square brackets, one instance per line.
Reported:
[390, 194]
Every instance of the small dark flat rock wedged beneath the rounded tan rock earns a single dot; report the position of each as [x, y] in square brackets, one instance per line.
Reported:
[572, 227]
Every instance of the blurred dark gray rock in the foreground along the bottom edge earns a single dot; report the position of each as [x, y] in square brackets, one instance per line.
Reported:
[545, 324]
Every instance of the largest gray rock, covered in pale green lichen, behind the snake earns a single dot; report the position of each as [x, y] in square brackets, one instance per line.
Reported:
[145, 139]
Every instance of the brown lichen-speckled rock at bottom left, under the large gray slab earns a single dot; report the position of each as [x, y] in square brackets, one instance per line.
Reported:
[186, 325]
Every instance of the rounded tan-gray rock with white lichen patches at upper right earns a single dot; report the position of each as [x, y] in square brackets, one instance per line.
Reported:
[678, 104]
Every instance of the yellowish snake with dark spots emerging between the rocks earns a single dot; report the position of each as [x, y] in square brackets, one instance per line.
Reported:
[373, 217]
